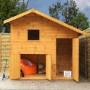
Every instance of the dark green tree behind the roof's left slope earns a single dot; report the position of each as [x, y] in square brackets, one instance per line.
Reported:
[9, 8]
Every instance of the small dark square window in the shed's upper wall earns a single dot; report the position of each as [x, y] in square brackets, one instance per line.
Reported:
[33, 34]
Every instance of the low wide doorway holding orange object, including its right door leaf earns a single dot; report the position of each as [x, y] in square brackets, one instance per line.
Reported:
[35, 66]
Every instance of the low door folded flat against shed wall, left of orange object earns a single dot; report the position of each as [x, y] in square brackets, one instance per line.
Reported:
[14, 72]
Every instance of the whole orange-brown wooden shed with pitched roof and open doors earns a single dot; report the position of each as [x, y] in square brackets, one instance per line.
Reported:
[43, 39]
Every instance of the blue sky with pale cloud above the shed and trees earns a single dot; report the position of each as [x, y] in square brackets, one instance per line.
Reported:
[43, 5]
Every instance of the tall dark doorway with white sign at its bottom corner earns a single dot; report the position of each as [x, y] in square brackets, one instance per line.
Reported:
[64, 58]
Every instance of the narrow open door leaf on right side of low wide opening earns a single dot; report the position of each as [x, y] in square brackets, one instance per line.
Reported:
[48, 67]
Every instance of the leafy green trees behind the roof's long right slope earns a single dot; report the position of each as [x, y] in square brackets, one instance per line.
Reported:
[70, 14]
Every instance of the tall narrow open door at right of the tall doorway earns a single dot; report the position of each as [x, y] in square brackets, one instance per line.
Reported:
[75, 59]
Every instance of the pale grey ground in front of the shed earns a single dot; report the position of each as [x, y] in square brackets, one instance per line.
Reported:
[43, 85]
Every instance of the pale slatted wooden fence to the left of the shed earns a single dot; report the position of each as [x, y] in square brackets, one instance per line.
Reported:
[4, 49]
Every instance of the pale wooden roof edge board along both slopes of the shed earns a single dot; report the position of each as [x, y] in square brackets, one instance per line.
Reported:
[47, 17]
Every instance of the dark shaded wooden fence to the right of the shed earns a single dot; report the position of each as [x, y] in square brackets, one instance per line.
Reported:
[85, 55]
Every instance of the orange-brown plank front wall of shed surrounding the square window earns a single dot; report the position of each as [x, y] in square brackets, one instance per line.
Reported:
[49, 31]
